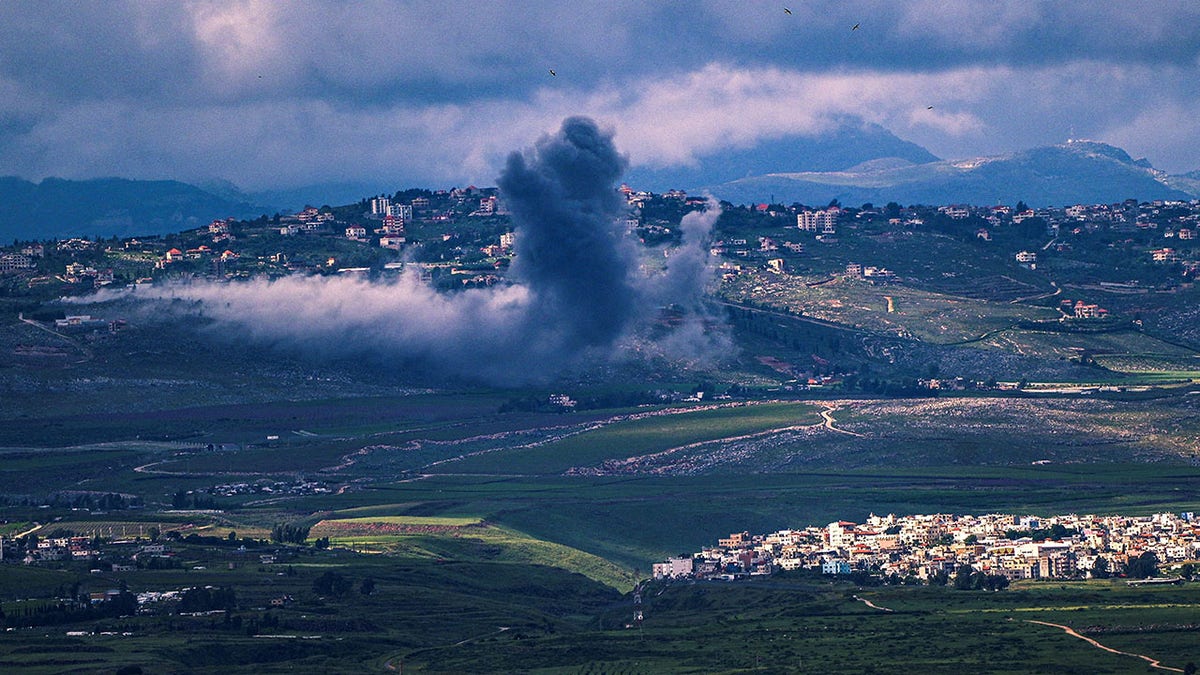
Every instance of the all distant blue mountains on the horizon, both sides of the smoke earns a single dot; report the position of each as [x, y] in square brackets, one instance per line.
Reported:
[857, 164]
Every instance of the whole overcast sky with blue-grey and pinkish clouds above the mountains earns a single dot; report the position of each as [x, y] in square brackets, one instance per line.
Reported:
[280, 94]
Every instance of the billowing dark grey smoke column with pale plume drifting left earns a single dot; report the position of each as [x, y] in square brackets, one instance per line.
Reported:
[577, 296]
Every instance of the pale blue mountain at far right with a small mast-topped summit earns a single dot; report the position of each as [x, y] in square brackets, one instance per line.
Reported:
[1070, 174]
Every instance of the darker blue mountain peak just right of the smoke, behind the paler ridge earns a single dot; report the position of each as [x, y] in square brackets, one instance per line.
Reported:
[851, 144]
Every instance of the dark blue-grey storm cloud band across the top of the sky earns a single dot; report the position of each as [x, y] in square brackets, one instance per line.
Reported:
[452, 52]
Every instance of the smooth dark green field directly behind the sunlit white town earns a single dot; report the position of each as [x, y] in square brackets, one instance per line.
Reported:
[638, 521]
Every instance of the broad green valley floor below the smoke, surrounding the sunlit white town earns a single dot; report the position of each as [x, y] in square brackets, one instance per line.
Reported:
[511, 541]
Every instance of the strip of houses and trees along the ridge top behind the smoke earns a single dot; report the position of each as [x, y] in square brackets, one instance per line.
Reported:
[465, 236]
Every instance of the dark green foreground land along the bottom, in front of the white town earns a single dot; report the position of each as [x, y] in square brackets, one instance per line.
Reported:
[428, 617]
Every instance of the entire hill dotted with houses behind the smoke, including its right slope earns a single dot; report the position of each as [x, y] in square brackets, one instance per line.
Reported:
[1081, 273]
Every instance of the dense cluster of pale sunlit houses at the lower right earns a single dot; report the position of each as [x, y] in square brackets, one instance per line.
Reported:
[925, 547]
